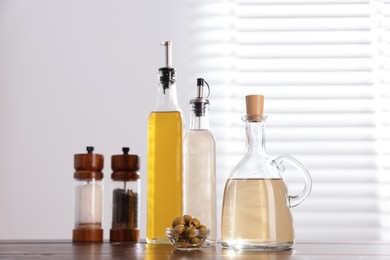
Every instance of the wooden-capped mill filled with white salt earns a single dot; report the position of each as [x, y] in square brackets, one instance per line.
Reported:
[88, 197]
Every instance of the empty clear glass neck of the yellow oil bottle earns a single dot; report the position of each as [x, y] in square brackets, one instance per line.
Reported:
[167, 99]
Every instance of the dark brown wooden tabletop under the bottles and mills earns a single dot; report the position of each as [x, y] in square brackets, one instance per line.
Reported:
[68, 250]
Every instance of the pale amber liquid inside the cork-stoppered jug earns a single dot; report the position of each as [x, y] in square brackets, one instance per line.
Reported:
[256, 211]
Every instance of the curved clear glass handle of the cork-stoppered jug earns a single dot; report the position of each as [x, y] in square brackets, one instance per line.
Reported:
[279, 163]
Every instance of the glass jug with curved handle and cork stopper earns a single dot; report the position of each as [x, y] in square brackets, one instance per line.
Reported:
[256, 205]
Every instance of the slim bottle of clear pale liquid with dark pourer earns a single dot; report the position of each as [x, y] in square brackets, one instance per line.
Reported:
[199, 187]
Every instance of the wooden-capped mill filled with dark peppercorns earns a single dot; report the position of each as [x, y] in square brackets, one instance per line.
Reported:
[125, 197]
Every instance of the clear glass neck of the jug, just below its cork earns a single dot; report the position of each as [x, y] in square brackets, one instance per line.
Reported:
[255, 143]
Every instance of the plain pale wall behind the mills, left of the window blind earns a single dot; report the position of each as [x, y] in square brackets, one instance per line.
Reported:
[75, 73]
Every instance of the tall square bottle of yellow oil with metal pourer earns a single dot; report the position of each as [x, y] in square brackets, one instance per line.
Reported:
[165, 135]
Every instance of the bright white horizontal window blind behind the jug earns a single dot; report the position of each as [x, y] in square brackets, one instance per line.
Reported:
[323, 67]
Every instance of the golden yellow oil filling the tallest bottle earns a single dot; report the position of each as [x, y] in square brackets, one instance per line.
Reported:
[164, 173]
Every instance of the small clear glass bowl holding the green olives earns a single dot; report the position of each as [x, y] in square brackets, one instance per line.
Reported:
[182, 243]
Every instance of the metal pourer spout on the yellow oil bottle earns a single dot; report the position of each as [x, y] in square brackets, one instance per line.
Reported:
[167, 73]
